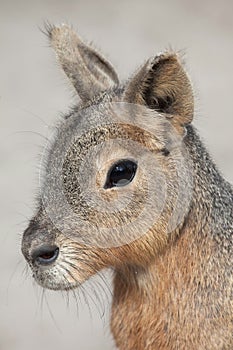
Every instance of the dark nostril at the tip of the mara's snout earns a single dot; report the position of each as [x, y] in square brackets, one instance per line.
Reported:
[45, 255]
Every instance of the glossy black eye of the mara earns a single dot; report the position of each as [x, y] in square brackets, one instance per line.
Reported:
[121, 174]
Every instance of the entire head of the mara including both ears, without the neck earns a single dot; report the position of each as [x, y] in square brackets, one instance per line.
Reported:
[116, 181]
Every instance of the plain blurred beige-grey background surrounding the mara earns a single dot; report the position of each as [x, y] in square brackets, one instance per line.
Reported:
[33, 92]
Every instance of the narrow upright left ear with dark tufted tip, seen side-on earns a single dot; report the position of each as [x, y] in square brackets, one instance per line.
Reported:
[89, 73]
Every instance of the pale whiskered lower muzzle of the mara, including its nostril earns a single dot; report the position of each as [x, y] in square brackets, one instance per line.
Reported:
[60, 264]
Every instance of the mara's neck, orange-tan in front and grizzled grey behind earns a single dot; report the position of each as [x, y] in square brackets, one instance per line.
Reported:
[178, 286]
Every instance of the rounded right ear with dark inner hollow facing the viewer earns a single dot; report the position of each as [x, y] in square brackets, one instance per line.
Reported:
[162, 84]
